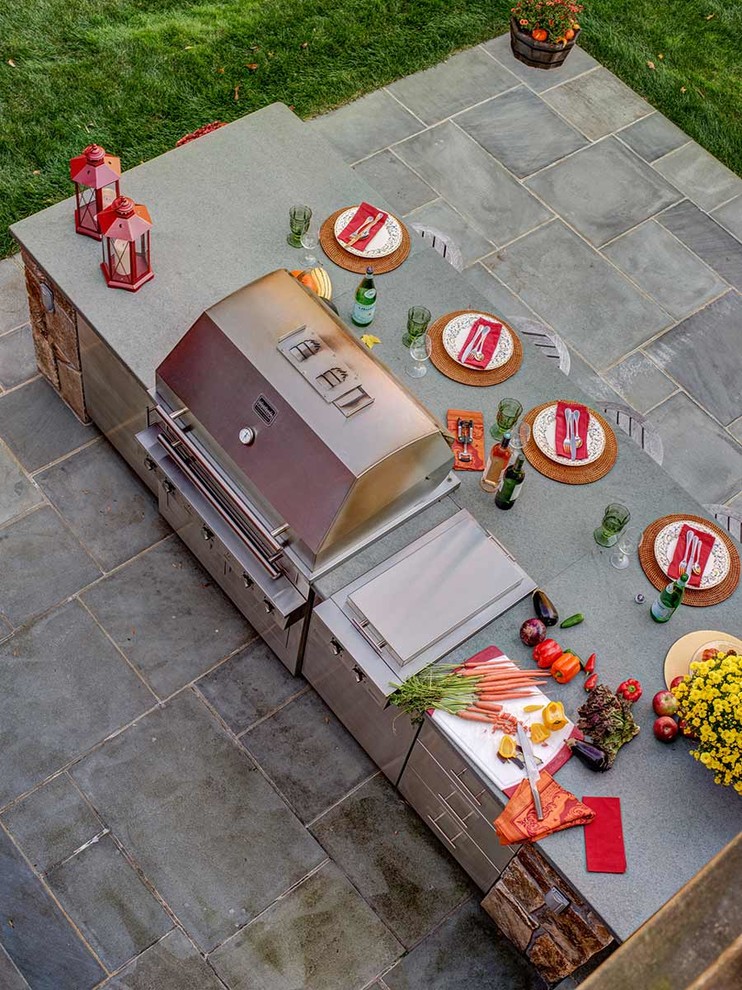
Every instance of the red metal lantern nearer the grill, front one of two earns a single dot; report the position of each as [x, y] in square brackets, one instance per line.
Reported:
[125, 227]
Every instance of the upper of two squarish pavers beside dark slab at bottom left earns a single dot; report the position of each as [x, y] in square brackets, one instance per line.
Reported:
[52, 823]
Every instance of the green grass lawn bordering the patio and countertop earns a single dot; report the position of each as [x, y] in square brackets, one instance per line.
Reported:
[135, 75]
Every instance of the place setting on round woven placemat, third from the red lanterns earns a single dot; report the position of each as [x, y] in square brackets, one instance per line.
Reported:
[570, 442]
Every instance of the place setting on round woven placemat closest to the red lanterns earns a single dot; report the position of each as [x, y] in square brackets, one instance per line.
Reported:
[362, 235]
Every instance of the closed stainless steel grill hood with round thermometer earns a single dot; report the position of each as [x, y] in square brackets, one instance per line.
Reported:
[300, 416]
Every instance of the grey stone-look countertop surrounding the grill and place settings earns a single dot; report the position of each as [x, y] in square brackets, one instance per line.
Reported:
[212, 236]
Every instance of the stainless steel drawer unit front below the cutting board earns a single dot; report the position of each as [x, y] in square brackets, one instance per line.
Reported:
[462, 804]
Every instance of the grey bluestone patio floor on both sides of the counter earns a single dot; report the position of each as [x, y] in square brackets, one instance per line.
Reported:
[176, 811]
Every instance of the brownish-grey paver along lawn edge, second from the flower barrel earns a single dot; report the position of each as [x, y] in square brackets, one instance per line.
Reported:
[597, 103]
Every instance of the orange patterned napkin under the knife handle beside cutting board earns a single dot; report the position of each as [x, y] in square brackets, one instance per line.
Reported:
[518, 821]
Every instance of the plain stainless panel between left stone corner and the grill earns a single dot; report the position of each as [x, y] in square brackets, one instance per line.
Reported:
[115, 399]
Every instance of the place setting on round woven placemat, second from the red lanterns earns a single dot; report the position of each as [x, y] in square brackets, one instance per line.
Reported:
[475, 348]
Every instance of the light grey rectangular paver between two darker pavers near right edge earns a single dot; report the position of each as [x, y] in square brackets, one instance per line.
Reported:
[665, 268]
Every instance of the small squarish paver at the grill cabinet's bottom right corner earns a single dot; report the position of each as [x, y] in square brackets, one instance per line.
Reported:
[249, 686]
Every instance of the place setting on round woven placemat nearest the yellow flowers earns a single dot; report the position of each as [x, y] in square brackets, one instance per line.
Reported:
[678, 544]
